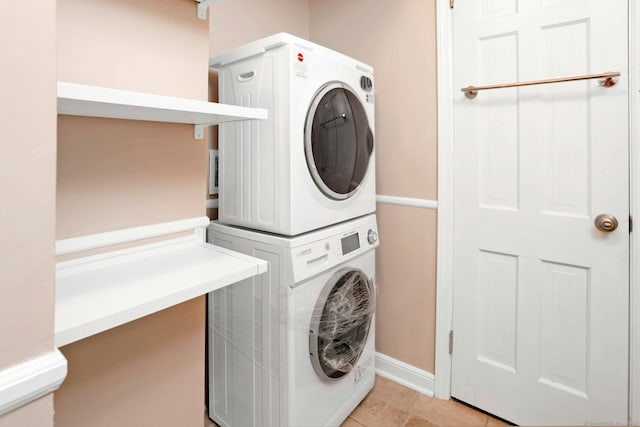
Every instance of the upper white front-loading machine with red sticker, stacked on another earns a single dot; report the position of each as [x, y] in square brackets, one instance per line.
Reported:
[312, 162]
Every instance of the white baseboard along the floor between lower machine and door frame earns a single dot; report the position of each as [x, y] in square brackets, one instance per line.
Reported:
[407, 375]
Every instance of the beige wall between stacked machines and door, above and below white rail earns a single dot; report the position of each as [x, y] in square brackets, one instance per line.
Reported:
[399, 42]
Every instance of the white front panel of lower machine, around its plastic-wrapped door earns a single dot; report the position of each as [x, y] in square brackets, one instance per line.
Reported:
[307, 406]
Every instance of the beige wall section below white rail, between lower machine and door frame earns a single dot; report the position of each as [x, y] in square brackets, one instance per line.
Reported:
[406, 279]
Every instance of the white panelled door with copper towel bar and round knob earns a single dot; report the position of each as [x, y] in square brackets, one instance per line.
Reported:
[541, 296]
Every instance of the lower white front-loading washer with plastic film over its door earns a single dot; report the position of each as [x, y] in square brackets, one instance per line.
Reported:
[294, 346]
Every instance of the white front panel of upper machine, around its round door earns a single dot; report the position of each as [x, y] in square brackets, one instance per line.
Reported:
[305, 191]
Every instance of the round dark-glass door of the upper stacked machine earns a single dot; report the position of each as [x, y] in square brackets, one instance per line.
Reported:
[338, 141]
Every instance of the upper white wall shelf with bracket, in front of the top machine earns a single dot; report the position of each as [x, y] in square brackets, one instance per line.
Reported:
[95, 101]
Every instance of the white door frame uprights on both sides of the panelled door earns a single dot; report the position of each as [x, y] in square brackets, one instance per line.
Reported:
[446, 160]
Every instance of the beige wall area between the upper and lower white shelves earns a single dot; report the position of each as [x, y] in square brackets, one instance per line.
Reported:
[118, 173]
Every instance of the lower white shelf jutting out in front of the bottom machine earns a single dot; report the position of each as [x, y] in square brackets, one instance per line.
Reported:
[97, 293]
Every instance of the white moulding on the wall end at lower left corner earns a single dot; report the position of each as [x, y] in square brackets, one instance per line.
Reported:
[28, 381]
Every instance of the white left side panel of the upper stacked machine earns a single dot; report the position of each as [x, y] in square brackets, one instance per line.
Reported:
[253, 183]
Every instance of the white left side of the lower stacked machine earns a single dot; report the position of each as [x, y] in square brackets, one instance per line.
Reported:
[247, 347]
